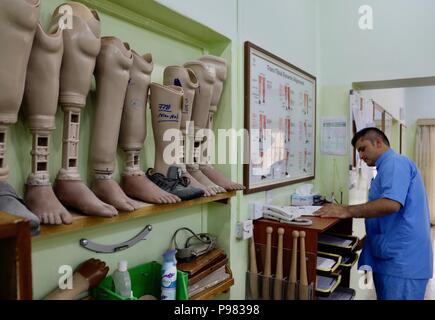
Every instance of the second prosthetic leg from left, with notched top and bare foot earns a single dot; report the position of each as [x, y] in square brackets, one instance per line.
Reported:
[40, 101]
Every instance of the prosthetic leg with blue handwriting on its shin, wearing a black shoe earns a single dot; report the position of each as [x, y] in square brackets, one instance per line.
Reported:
[166, 103]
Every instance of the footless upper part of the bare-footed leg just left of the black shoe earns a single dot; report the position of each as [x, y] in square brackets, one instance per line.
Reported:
[133, 124]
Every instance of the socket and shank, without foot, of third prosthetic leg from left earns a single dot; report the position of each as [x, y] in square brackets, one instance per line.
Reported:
[81, 46]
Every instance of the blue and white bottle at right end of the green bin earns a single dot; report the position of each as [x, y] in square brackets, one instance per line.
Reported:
[169, 275]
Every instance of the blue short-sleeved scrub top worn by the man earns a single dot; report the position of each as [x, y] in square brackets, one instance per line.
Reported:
[399, 244]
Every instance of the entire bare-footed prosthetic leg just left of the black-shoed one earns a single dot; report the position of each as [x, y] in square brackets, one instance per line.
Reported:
[133, 133]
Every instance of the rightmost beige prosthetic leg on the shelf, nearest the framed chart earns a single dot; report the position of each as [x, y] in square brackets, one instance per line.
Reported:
[220, 66]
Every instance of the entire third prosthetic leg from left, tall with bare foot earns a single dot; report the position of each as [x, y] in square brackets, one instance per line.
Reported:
[81, 47]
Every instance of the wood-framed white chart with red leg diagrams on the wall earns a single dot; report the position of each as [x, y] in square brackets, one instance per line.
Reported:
[280, 117]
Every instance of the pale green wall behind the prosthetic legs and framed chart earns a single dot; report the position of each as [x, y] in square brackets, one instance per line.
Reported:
[320, 37]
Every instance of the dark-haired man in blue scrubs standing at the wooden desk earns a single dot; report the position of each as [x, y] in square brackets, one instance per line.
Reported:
[397, 247]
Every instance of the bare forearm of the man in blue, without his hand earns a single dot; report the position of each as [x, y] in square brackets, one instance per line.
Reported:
[376, 208]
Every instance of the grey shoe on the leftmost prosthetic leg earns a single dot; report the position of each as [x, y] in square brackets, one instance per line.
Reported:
[12, 204]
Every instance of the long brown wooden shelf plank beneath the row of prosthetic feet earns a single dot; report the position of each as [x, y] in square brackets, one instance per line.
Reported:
[81, 222]
